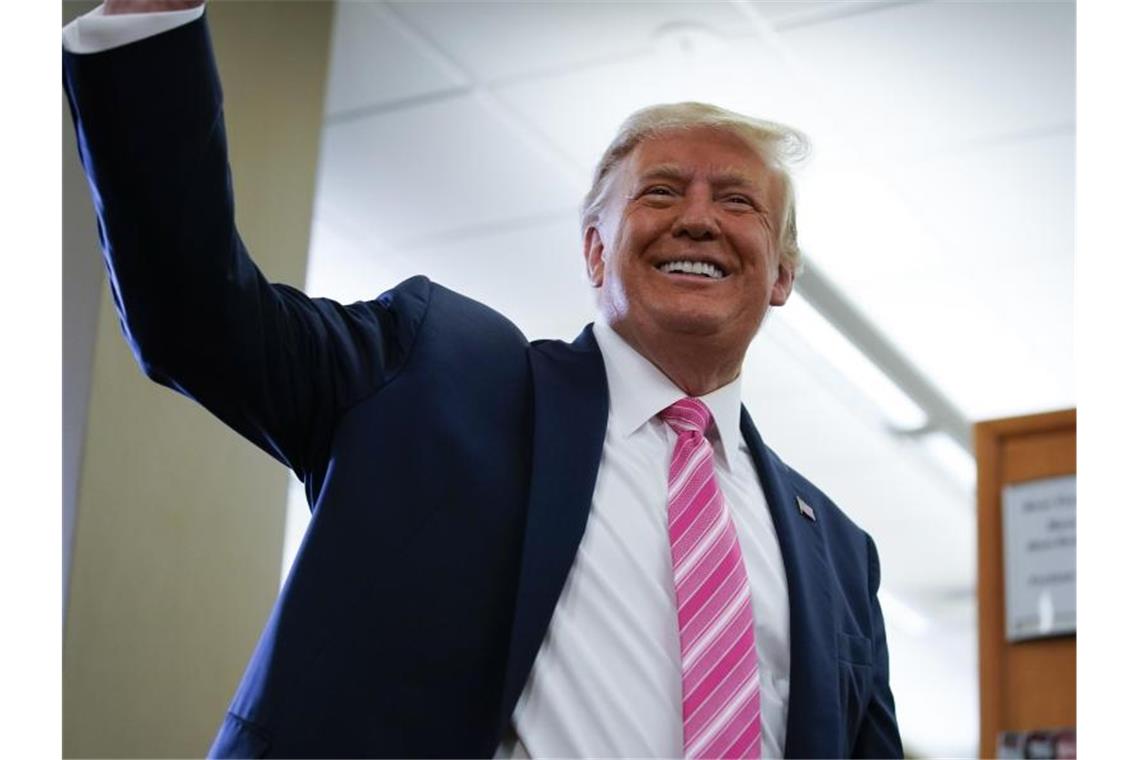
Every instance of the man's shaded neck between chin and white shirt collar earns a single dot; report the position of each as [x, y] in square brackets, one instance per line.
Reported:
[696, 364]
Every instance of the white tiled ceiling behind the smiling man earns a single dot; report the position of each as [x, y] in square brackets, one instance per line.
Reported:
[939, 203]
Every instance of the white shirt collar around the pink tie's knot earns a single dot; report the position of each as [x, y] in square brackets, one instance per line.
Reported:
[639, 391]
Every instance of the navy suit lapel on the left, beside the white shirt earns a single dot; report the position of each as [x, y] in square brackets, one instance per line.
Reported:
[572, 406]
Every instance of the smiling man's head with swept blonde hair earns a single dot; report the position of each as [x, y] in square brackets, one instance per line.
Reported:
[687, 242]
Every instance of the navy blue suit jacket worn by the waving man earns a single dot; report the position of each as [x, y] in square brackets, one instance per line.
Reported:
[450, 463]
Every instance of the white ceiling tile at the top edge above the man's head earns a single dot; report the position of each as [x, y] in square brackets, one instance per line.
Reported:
[501, 40]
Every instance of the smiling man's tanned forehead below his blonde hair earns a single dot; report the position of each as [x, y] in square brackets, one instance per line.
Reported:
[703, 152]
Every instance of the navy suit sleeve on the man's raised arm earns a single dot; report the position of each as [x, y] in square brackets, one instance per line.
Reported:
[273, 364]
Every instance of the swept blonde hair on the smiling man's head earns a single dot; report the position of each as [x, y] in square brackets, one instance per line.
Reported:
[777, 144]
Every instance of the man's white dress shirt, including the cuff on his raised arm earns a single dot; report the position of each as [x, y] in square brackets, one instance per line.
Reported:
[607, 680]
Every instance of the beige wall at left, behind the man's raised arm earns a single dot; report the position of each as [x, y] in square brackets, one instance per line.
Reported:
[180, 522]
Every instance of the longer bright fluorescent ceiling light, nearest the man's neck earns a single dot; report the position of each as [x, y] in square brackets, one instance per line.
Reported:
[899, 410]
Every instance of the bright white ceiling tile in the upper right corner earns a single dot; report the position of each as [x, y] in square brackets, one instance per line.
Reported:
[918, 77]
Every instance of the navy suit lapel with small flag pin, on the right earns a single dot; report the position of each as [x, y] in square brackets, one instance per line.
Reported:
[813, 713]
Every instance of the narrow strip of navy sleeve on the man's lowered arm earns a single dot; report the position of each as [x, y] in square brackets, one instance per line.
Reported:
[878, 736]
